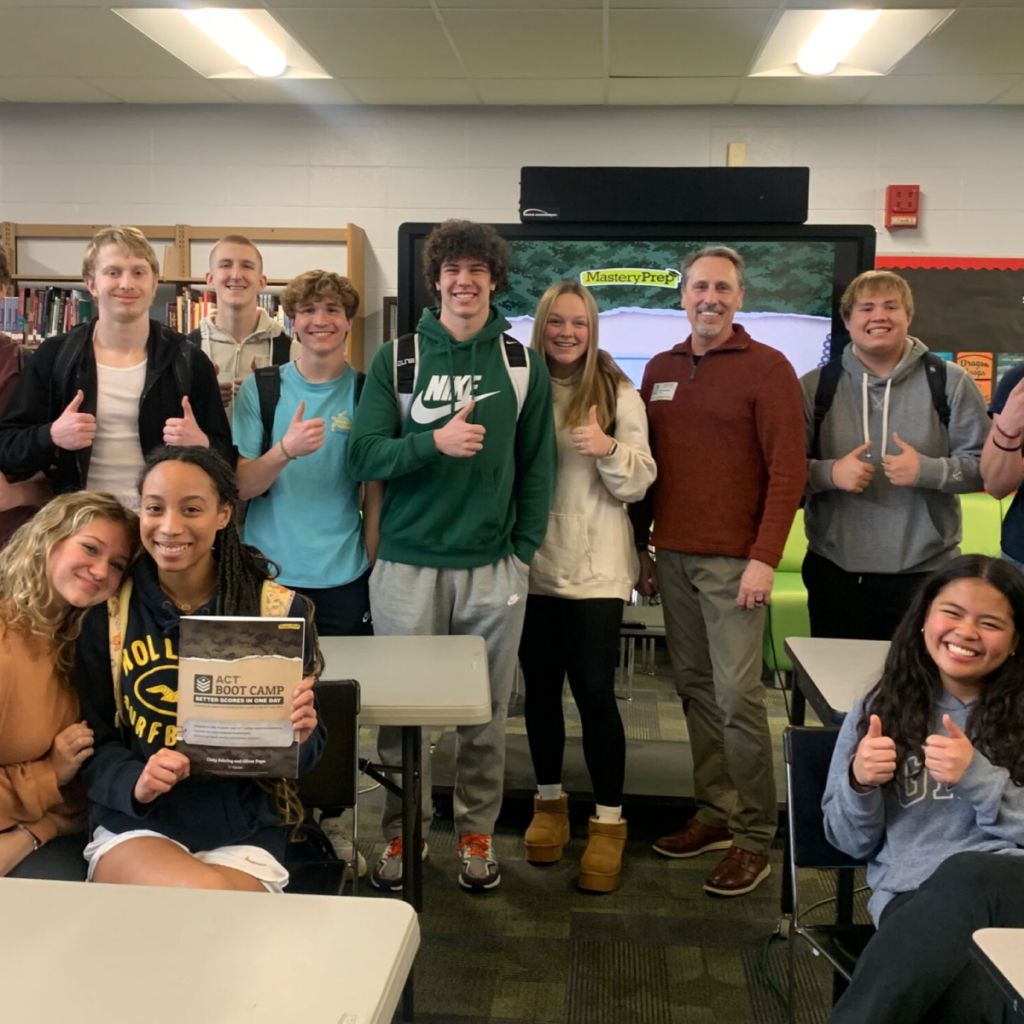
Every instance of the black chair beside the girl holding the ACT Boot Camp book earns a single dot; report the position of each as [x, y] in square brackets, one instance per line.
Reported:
[332, 788]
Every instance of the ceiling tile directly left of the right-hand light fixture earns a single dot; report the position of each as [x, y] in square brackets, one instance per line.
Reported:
[676, 45]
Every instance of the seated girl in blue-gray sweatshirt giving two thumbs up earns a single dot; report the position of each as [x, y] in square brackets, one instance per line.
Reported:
[927, 785]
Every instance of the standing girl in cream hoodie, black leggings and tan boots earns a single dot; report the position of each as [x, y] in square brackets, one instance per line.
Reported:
[579, 580]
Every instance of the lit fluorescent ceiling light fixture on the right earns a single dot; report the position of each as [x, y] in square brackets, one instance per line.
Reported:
[844, 42]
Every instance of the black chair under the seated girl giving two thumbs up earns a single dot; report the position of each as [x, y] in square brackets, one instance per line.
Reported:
[808, 754]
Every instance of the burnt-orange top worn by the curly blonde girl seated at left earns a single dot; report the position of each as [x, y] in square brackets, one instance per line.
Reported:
[35, 706]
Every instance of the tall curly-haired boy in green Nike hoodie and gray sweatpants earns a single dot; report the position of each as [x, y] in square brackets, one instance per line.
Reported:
[471, 479]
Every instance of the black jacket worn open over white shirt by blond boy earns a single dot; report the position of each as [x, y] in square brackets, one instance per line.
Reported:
[39, 400]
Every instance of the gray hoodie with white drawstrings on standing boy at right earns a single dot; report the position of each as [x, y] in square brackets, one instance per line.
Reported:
[890, 529]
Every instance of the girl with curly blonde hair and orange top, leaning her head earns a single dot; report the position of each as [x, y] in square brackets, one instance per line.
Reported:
[72, 556]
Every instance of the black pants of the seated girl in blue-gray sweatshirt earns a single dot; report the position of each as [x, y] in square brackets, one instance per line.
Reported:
[919, 967]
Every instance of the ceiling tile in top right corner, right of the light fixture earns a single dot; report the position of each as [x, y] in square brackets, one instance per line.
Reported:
[987, 41]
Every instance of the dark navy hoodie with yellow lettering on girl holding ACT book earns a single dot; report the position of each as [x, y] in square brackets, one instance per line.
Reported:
[202, 813]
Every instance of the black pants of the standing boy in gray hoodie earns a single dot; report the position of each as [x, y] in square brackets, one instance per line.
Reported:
[857, 606]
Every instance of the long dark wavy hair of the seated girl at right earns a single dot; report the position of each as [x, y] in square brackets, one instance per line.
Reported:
[906, 696]
